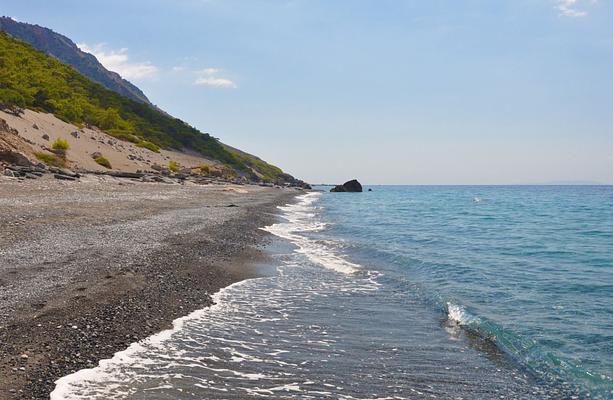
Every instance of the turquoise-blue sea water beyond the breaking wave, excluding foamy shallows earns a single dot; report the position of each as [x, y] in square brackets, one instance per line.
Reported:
[529, 267]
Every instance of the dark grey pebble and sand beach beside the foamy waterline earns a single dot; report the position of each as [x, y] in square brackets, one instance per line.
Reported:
[88, 267]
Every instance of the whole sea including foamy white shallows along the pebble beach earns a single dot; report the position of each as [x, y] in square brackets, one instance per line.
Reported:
[402, 292]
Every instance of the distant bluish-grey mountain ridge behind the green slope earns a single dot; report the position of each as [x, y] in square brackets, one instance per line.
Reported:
[65, 50]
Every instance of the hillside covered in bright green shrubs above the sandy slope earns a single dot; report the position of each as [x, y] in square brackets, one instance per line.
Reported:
[33, 80]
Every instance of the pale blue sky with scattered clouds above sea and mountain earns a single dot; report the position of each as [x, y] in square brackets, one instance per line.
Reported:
[386, 91]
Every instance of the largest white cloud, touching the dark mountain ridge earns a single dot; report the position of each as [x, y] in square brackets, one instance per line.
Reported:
[119, 61]
